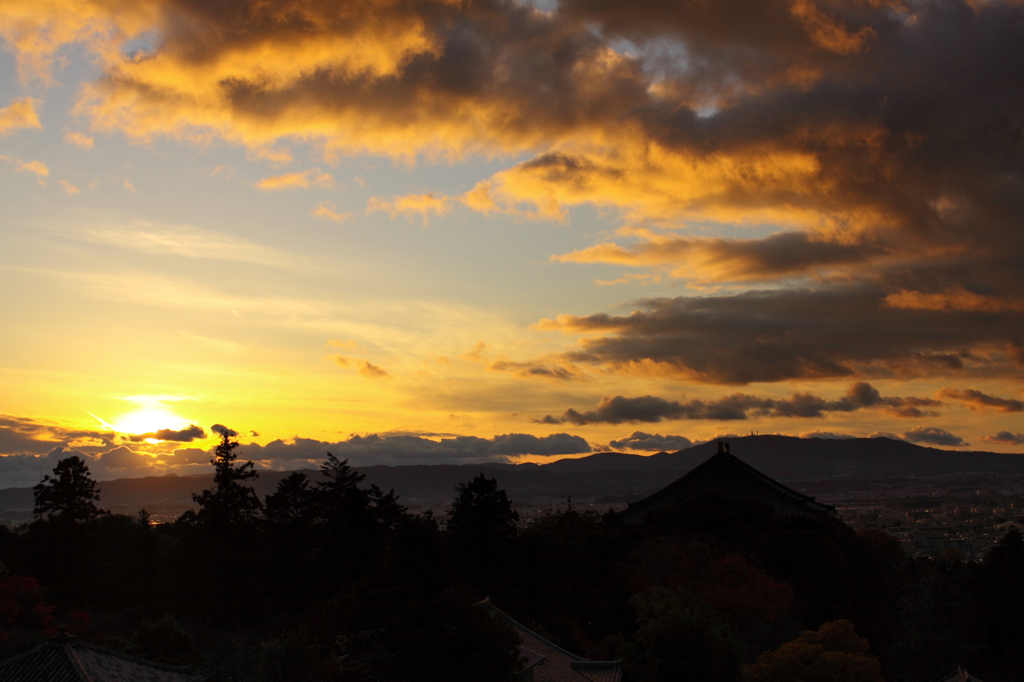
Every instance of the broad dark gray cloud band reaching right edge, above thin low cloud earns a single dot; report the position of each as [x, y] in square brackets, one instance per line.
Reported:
[770, 336]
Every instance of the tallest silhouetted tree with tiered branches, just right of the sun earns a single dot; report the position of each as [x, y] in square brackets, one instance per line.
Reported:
[231, 503]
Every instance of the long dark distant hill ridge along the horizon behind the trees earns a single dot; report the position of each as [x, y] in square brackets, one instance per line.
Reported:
[783, 458]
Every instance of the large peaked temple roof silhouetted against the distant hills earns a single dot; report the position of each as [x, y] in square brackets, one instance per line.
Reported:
[727, 477]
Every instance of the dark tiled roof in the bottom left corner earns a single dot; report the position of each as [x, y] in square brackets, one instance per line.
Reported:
[67, 660]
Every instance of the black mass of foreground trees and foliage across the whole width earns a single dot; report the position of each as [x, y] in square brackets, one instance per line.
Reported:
[329, 580]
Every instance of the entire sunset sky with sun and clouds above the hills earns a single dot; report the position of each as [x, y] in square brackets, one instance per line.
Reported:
[447, 231]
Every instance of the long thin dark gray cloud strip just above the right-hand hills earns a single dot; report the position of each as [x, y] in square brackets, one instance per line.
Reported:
[650, 409]
